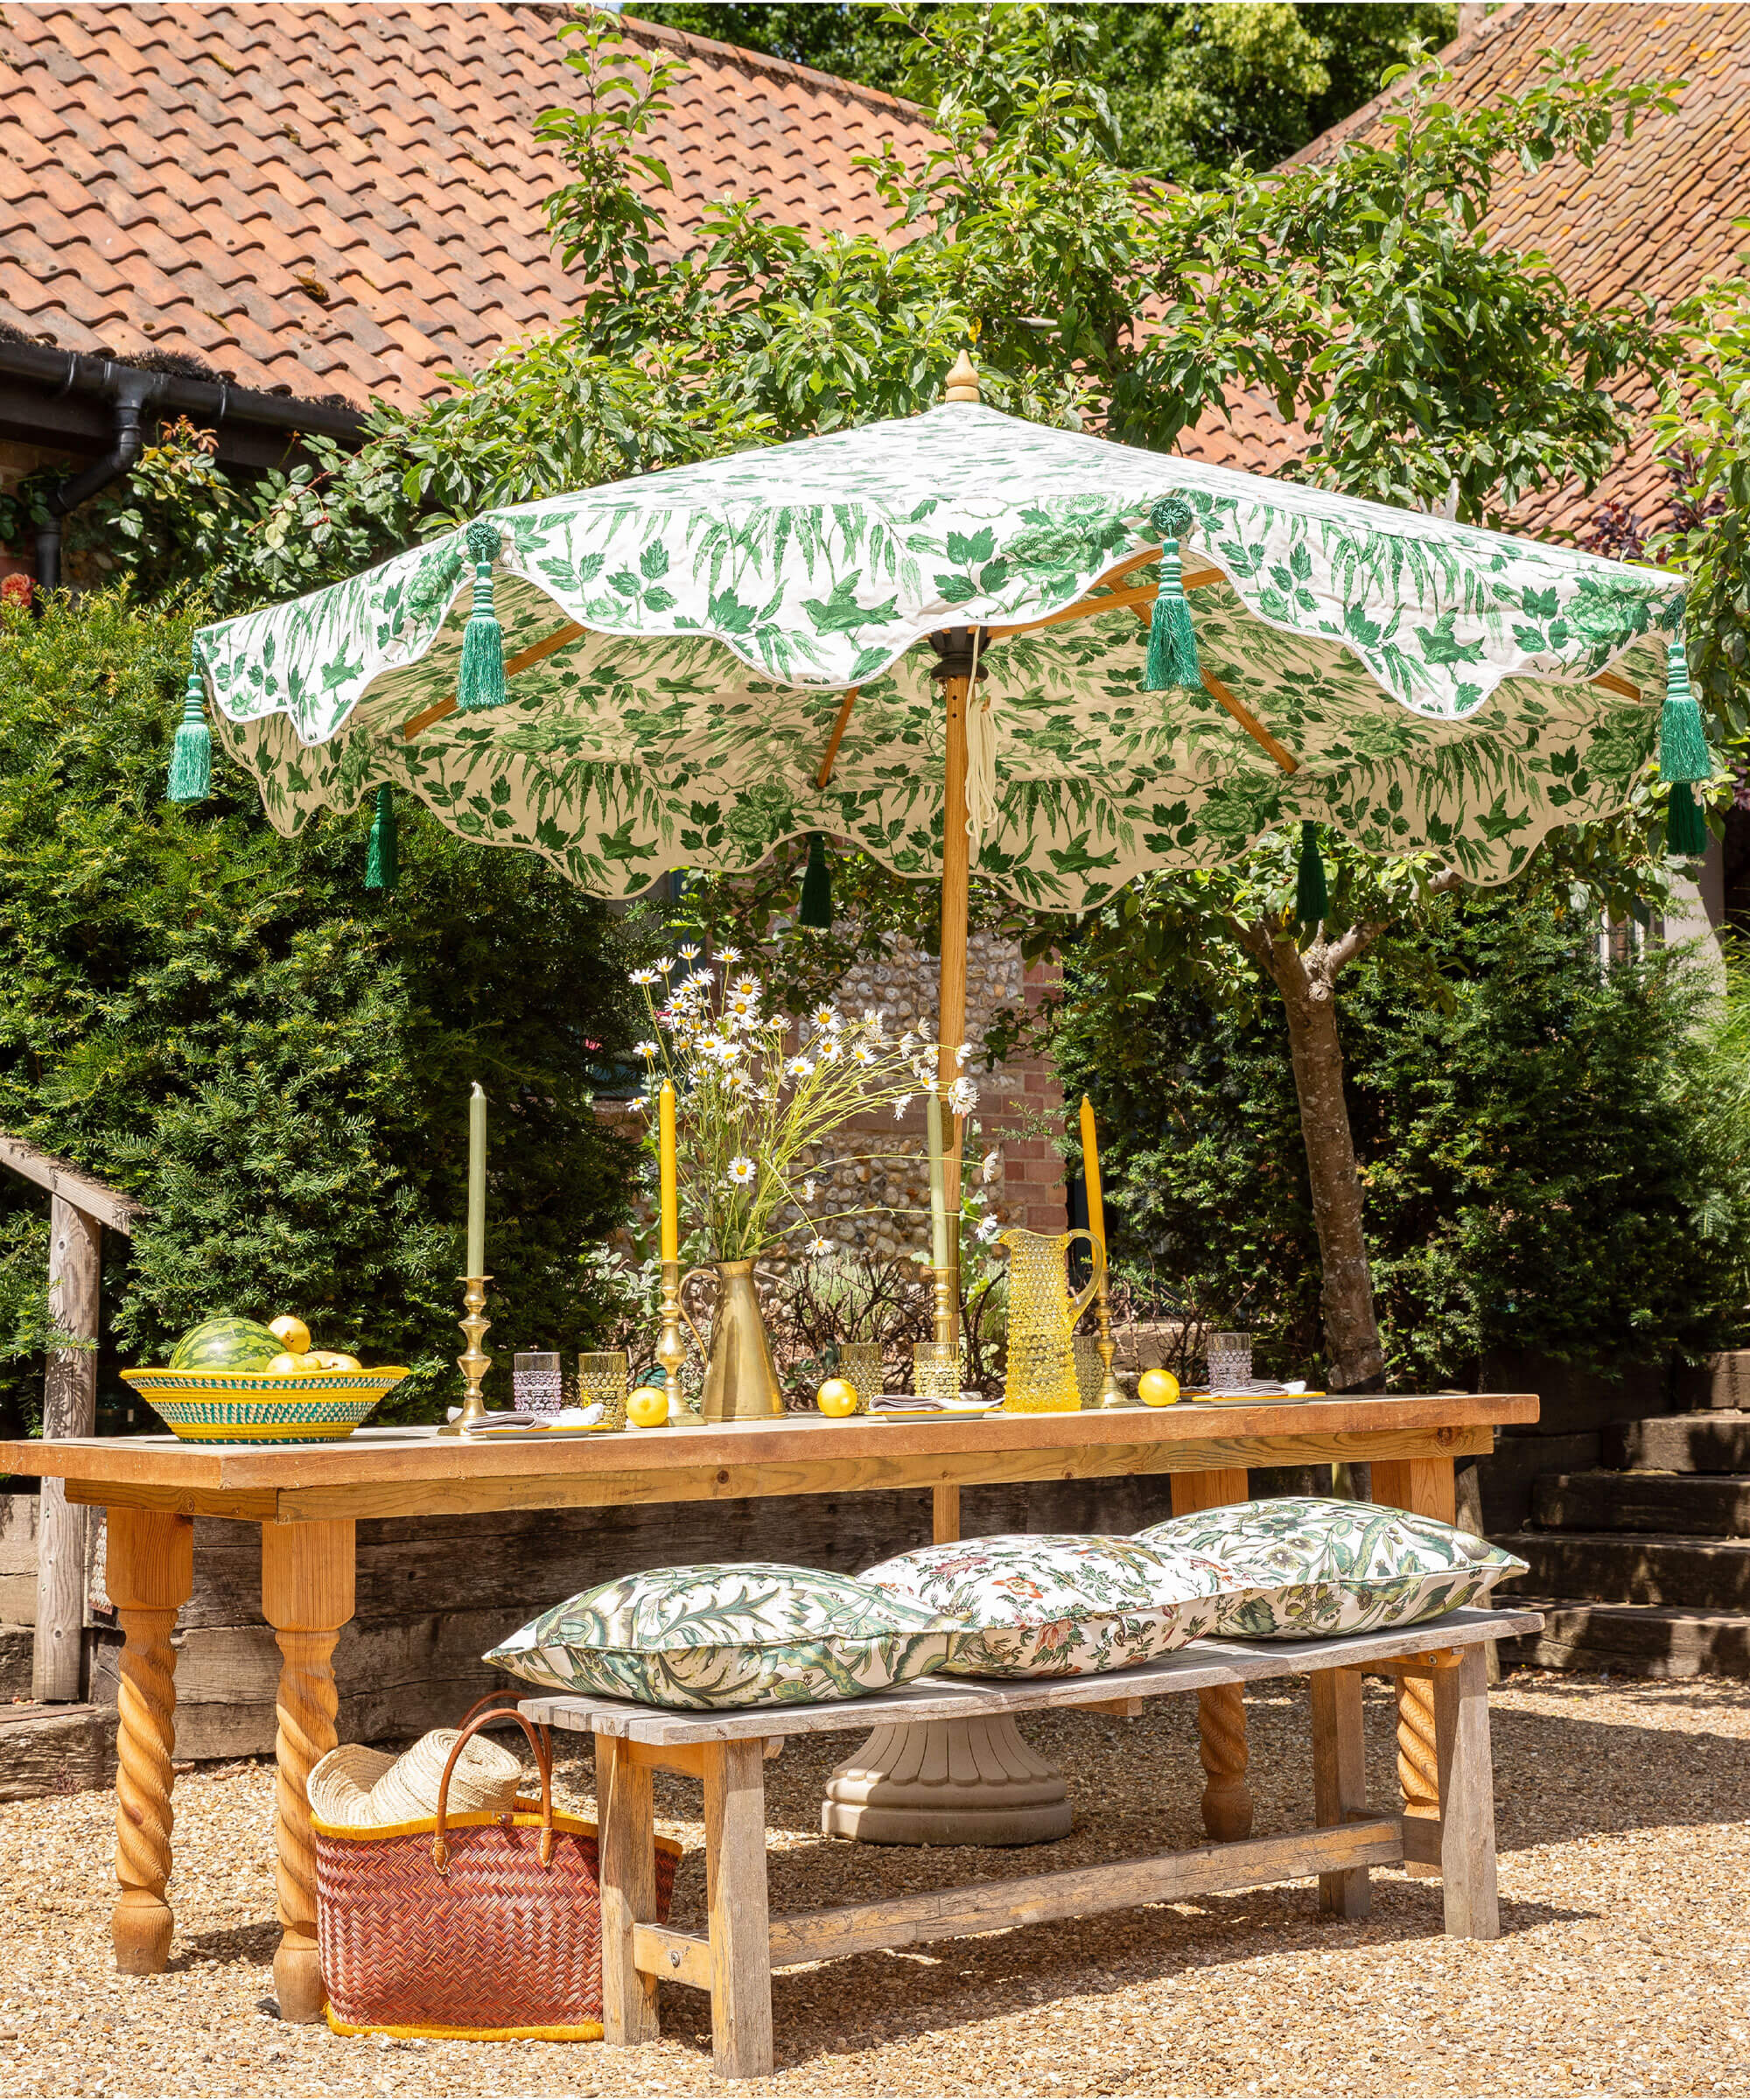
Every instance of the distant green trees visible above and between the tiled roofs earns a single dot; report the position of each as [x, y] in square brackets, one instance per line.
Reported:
[1186, 87]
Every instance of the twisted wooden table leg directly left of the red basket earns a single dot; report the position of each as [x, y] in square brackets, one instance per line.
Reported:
[306, 1597]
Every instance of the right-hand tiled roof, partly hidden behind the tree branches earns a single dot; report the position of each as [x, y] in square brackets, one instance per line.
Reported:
[1652, 215]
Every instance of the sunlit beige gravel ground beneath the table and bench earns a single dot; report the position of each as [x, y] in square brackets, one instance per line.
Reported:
[1621, 1969]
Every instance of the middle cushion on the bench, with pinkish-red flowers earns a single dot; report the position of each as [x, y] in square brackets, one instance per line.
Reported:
[1060, 1605]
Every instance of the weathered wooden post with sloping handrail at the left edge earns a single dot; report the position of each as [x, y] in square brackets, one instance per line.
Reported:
[79, 1213]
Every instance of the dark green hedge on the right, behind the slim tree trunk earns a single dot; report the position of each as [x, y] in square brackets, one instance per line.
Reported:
[1547, 1154]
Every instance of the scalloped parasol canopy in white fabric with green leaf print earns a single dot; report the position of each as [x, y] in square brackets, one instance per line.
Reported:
[1432, 679]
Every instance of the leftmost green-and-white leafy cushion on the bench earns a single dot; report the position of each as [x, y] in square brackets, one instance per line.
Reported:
[732, 1635]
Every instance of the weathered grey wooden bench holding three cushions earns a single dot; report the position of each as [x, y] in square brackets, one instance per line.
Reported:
[736, 1956]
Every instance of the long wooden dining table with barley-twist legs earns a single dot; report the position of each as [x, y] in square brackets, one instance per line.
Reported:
[308, 1500]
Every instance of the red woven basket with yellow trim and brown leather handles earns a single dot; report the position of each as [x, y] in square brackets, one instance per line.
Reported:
[470, 1927]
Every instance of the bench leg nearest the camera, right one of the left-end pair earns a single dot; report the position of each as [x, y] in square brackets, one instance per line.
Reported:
[736, 1899]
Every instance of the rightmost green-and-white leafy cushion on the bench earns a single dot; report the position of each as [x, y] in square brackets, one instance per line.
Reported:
[1335, 1568]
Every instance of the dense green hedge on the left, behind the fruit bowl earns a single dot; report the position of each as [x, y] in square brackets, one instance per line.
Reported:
[224, 1026]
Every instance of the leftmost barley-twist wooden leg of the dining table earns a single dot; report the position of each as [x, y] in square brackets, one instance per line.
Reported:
[150, 1570]
